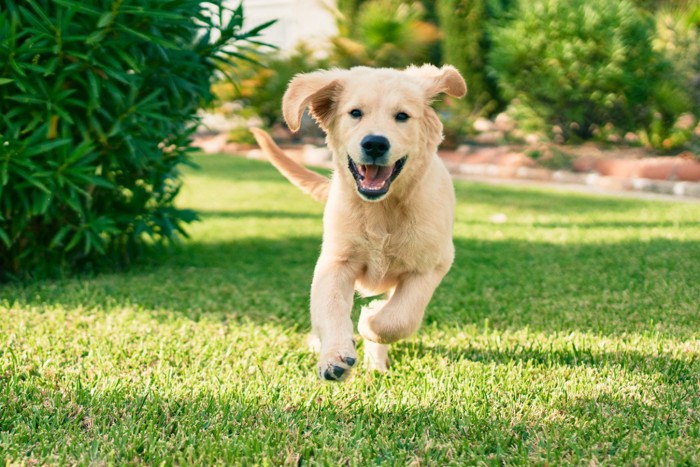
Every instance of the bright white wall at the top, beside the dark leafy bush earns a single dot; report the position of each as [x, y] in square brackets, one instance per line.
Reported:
[310, 21]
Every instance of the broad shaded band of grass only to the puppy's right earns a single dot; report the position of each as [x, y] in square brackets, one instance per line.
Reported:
[608, 288]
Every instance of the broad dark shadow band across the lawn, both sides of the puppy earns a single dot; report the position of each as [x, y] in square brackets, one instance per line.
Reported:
[612, 289]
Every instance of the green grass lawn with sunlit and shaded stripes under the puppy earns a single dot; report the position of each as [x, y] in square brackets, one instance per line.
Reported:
[568, 334]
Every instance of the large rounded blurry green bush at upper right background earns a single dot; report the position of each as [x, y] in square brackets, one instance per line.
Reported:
[582, 64]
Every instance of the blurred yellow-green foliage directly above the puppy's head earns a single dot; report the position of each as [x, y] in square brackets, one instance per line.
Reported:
[384, 33]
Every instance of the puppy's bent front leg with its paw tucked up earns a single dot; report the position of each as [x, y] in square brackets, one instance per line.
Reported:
[401, 316]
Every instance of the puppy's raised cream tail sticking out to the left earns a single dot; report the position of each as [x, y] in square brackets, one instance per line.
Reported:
[306, 180]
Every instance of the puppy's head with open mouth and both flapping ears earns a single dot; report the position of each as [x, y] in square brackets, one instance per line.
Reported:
[379, 121]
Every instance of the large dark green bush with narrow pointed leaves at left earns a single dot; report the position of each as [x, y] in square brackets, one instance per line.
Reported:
[98, 102]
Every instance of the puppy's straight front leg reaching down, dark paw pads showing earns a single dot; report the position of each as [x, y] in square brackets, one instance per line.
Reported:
[332, 293]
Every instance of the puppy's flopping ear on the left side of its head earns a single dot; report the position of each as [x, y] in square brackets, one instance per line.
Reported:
[318, 91]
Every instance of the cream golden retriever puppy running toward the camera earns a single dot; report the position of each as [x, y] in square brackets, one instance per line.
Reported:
[390, 203]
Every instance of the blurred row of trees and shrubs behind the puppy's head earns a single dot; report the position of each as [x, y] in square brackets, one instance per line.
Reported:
[565, 71]
